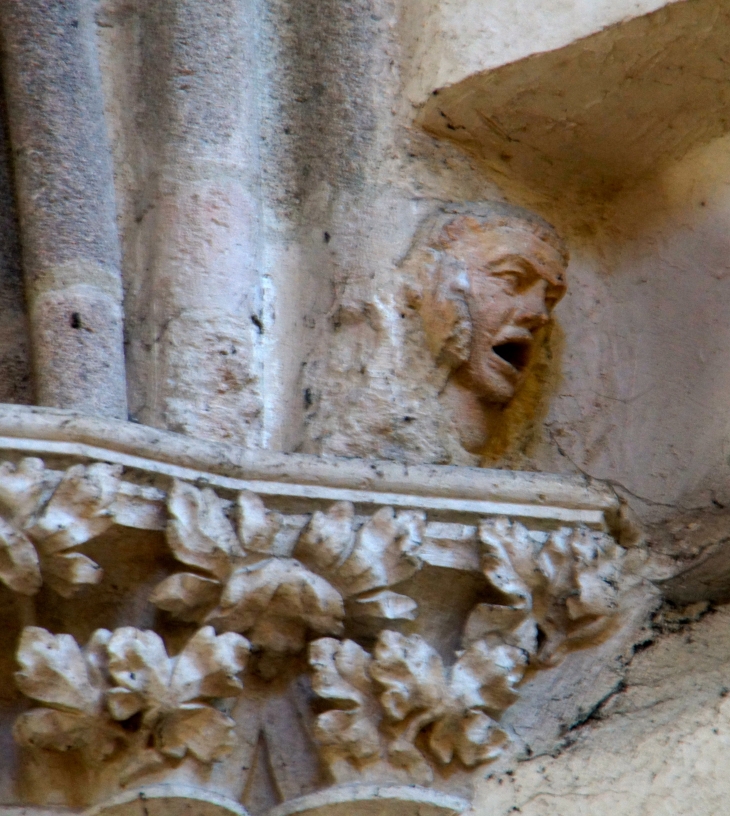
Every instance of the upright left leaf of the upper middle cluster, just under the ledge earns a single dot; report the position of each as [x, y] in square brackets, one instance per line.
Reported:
[198, 532]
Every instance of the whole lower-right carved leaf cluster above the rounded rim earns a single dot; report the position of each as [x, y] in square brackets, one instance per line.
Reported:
[382, 704]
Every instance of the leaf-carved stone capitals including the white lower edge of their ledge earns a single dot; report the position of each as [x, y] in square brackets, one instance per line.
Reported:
[290, 630]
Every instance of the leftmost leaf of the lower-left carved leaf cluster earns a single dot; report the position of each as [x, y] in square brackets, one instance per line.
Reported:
[53, 671]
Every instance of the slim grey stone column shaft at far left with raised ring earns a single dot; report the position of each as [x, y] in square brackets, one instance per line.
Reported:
[66, 204]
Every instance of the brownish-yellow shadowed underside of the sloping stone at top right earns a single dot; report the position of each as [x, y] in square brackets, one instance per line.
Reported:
[602, 112]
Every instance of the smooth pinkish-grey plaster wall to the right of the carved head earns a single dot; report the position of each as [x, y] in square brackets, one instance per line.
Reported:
[645, 373]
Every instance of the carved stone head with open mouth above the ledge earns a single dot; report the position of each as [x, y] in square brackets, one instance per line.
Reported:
[496, 274]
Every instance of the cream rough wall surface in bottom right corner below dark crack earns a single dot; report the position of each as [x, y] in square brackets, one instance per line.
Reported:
[655, 747]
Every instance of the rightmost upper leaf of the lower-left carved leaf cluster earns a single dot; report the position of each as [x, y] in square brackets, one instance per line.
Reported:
[209, 666]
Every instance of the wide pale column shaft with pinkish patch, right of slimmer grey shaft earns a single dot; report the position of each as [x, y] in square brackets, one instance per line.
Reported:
[194, 305]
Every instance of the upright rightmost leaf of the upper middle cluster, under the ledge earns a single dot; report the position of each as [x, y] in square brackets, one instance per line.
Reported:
[384, 553]
